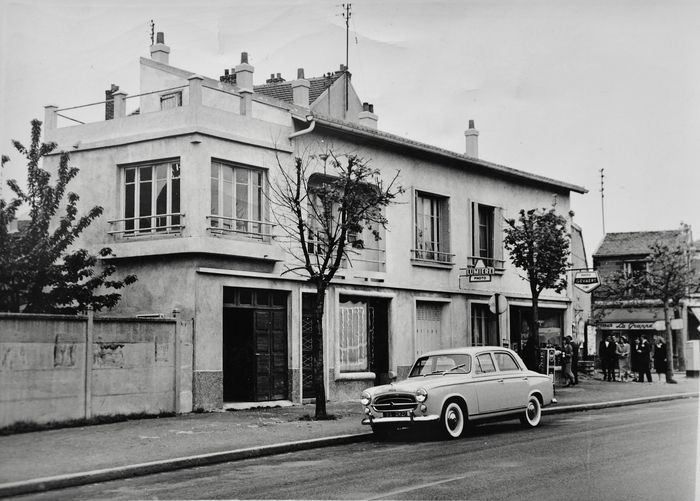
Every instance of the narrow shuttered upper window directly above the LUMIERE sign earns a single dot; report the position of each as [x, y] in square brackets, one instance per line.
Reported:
[487, 234]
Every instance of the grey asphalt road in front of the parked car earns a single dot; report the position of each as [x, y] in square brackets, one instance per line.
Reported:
[638, 452]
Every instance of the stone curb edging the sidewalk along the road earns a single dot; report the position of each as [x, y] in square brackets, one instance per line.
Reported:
[165, 465]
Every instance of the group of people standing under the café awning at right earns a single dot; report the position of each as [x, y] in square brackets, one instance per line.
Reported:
[617, 355]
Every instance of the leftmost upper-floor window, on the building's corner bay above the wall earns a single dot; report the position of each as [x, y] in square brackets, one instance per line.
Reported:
[152, 198]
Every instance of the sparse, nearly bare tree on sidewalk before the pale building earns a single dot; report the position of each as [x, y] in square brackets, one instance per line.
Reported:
[321, 214]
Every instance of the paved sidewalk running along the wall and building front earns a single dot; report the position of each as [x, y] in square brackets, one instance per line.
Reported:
[201, 438]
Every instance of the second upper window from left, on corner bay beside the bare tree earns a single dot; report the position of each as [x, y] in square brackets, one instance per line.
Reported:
[237, 201]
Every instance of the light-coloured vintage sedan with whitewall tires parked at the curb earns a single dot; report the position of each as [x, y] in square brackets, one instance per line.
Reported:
[454, 387]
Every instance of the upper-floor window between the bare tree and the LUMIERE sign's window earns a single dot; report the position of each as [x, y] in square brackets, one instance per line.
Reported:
[432, 229]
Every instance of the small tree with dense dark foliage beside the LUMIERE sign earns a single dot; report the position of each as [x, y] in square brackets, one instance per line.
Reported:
[539, 245]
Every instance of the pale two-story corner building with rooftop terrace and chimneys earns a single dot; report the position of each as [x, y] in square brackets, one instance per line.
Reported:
[184, 170]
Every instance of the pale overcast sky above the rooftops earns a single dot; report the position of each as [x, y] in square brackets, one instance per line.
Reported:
[558, 88]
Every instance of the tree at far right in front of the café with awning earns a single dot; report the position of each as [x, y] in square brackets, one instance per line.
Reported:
[669, 277]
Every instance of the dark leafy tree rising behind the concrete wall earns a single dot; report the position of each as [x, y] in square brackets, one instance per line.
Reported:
[38, 272]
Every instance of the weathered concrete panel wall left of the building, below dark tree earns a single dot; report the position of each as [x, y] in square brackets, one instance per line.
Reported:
[46, 374]
